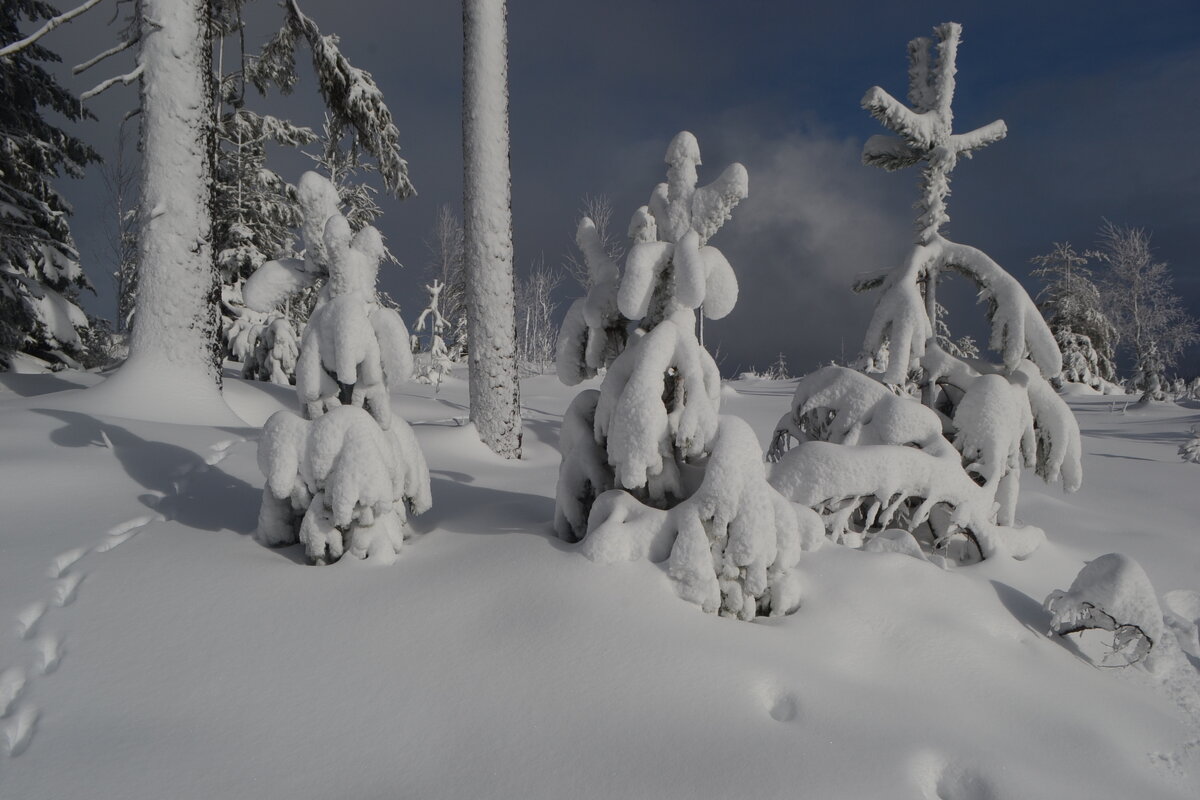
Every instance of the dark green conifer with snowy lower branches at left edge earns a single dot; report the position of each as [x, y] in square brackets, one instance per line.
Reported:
[40, 274]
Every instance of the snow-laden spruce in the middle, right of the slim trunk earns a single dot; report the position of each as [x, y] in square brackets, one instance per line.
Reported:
[650, 468]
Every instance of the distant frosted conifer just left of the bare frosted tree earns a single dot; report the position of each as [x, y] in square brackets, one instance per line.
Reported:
[1072, 306]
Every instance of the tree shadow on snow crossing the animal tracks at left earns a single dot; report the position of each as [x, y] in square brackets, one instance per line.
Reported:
[181, 485]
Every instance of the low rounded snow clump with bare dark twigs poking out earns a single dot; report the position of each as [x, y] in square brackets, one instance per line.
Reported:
[1112, 593]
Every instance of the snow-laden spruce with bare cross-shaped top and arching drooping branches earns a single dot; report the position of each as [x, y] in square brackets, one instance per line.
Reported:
[953, 467]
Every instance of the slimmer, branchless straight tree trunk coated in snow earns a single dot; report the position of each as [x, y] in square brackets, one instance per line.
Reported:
[495, 388]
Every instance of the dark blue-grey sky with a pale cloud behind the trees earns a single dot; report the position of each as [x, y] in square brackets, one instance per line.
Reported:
[1101, 100]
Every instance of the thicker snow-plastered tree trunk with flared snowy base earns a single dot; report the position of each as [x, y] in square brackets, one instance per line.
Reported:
[172, 374]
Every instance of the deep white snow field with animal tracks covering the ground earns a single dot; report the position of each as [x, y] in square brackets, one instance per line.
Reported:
[151, 649]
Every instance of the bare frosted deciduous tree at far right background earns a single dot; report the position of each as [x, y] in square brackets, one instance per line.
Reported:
[1150, 318]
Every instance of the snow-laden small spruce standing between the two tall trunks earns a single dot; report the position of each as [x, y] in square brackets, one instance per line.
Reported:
[344, 478]
